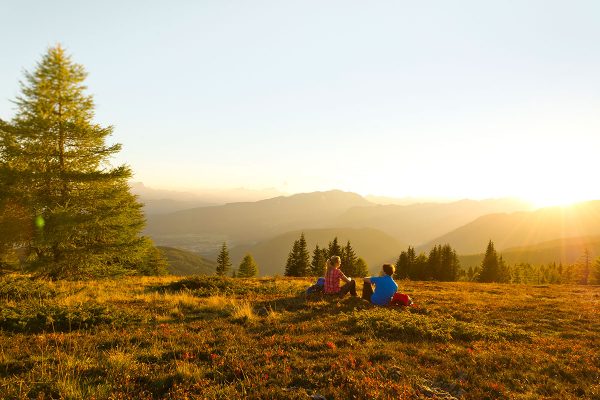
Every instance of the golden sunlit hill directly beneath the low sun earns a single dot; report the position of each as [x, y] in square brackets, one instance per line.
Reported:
[521, 229]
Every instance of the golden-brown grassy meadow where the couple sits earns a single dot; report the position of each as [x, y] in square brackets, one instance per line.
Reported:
[150, 338]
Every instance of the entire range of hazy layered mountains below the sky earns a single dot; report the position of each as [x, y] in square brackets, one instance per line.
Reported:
[268, 228]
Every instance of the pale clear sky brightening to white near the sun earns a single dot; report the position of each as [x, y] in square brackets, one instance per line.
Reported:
[450, 99]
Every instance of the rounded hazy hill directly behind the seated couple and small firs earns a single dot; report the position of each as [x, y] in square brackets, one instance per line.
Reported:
[374, 246]
